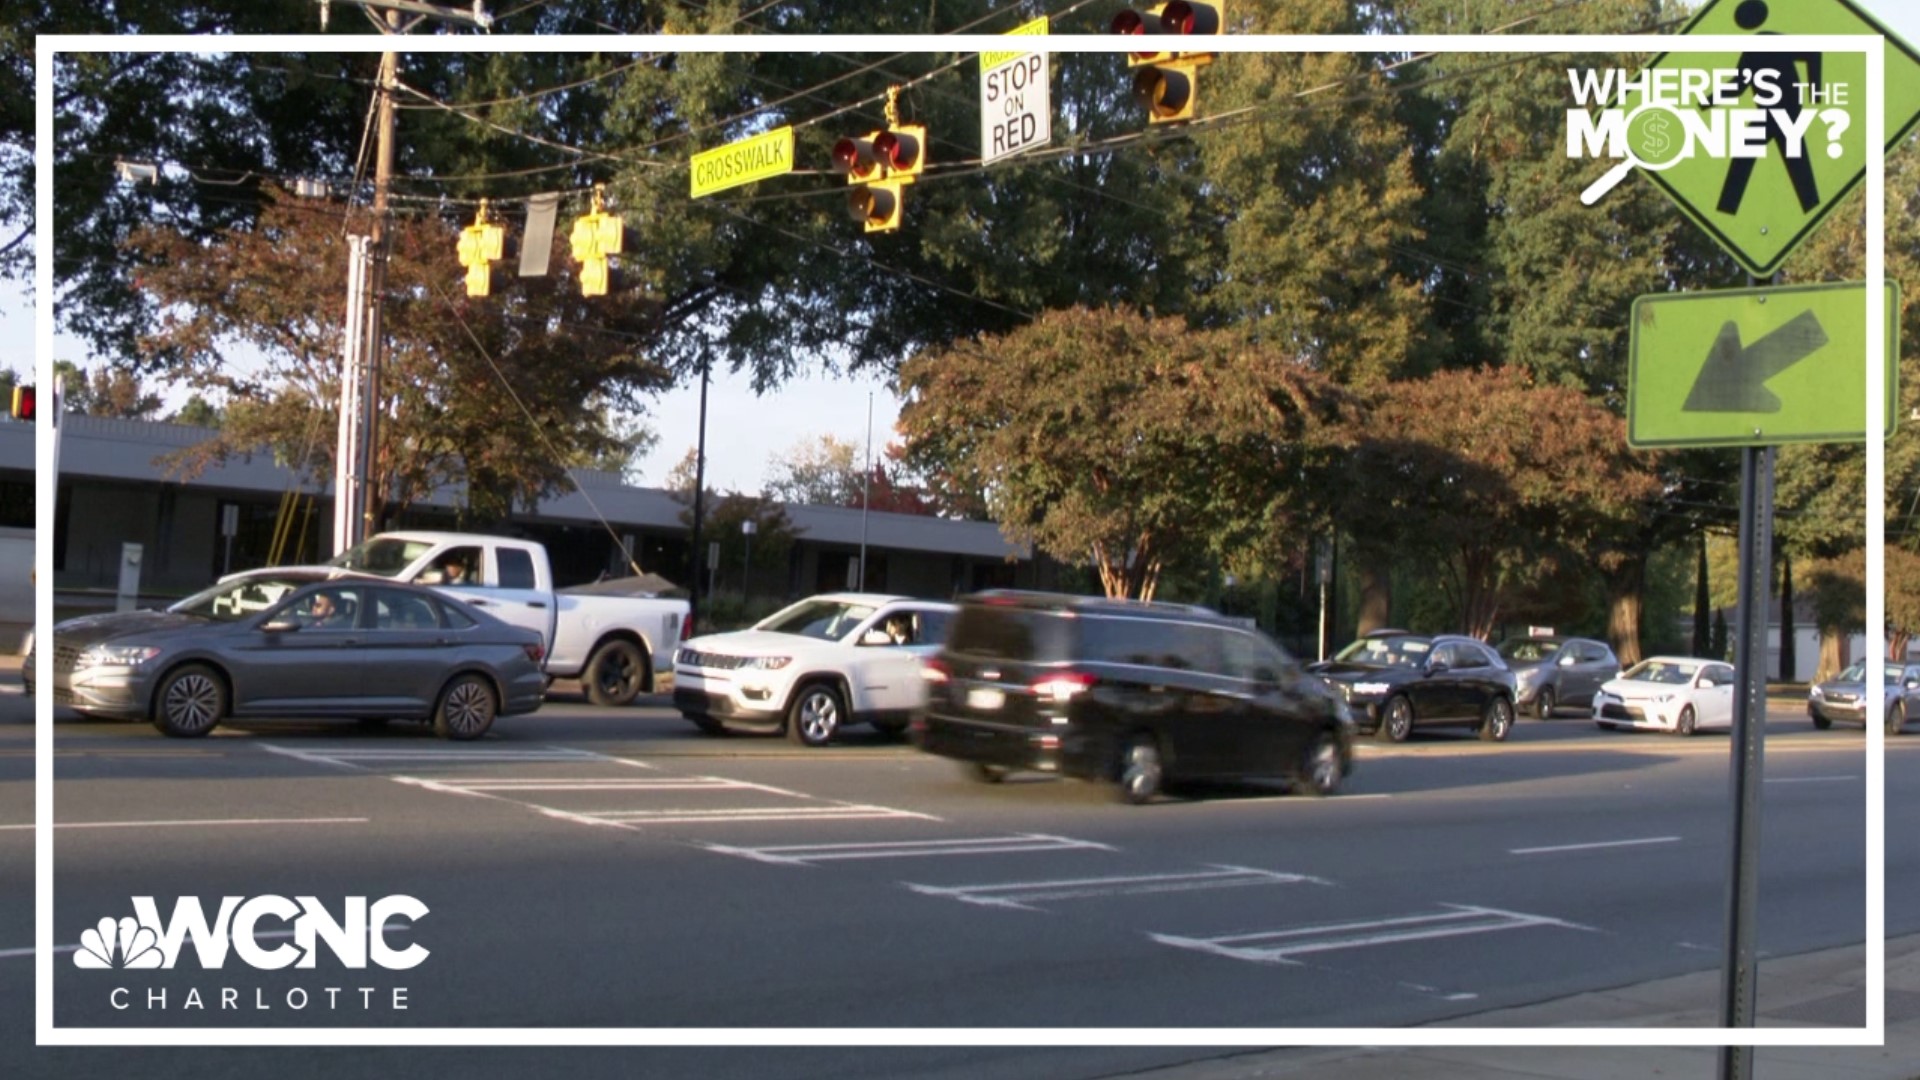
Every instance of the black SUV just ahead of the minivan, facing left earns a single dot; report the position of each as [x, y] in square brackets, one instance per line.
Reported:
[1397, 681]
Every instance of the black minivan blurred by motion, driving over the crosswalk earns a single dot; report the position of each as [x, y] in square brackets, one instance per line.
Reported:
[1141, 695]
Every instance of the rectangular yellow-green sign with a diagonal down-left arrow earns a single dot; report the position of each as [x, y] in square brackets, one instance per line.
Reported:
[1756, 366]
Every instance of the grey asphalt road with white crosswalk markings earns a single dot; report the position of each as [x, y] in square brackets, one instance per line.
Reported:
[610, 870]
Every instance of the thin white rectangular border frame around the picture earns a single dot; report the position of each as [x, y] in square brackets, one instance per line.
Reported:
[45, 493]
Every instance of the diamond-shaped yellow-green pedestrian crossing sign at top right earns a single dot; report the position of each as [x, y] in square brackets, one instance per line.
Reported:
[1762, 209]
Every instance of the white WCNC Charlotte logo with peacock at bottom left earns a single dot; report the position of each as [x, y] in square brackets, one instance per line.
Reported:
[297, 927]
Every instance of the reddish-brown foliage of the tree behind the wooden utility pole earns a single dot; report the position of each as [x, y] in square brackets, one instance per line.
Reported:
[498, 397]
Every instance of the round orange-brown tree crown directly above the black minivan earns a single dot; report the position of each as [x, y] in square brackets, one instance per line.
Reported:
[1126, 441]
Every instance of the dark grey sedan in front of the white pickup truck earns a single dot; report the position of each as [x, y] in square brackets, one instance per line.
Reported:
[300, 645]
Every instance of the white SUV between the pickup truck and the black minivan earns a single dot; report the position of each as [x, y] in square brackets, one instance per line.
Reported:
[834, 660]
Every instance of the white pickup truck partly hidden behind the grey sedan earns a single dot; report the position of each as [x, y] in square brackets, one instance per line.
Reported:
[613, 645]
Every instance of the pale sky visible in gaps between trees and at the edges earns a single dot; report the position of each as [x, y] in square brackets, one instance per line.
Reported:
[744, 431]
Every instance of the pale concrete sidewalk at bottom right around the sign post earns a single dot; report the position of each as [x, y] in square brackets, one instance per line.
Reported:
[1823, 989]
